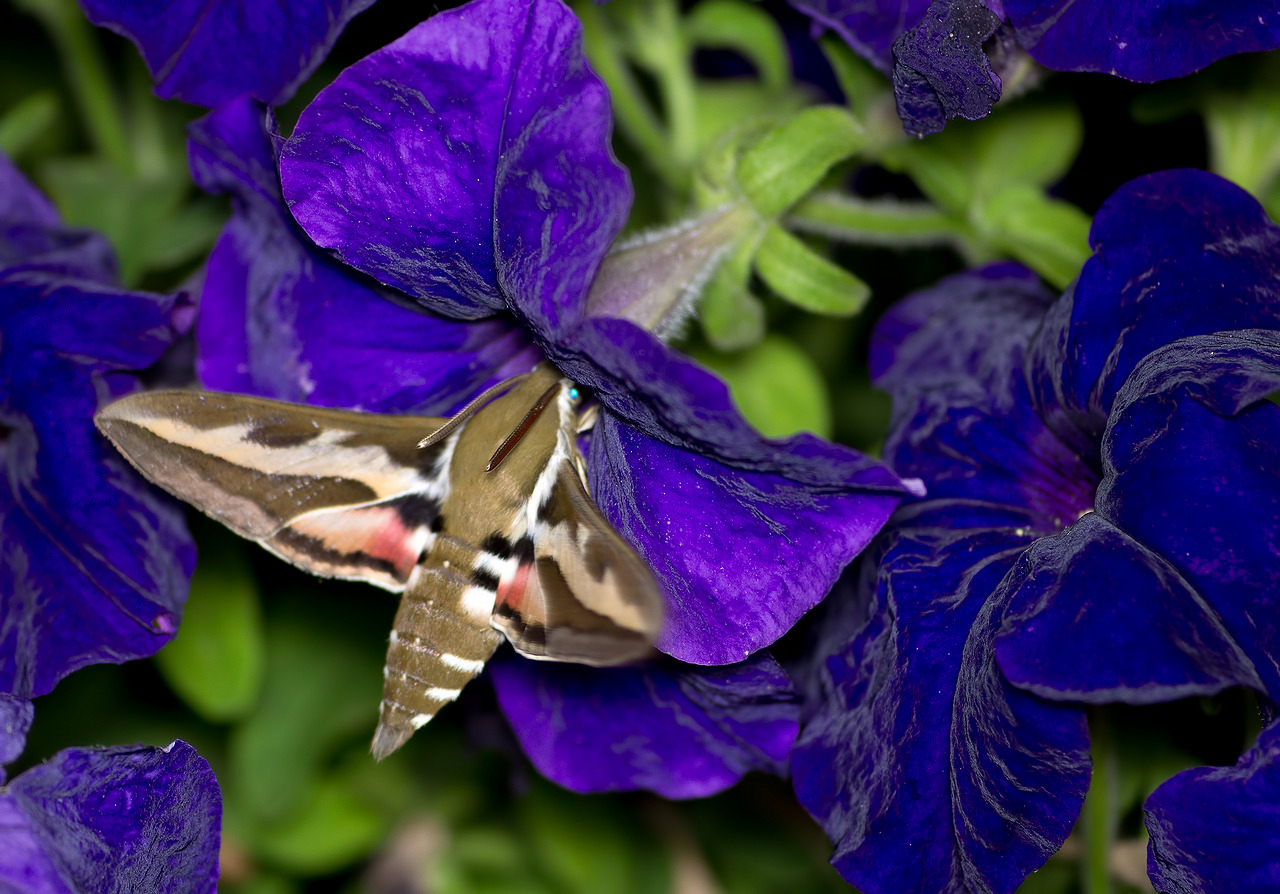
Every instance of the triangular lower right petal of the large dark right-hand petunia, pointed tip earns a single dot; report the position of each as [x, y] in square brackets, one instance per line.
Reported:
[1139, 632]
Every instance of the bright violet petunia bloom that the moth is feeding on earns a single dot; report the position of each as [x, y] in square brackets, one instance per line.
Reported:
[468, 166]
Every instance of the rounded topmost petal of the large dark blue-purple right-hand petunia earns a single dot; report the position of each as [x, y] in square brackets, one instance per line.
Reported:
[1176, 254]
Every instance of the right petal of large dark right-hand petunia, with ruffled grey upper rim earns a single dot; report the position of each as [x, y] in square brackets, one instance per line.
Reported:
[1195, 414]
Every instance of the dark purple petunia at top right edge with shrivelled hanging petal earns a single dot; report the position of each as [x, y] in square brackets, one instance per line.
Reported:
[935, 51]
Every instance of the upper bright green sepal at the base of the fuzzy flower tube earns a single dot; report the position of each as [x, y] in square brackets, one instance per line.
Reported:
[789, 161]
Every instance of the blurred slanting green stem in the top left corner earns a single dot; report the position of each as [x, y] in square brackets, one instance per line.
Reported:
[88, 75]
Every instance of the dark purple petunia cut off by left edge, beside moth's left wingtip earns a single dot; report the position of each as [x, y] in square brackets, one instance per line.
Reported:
[94, 562]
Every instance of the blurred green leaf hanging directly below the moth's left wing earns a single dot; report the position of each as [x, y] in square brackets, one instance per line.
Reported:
[216, 662]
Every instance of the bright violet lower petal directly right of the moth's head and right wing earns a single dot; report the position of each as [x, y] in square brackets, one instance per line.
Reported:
[739, 555]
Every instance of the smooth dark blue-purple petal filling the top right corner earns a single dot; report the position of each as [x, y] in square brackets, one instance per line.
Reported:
[1142, 42]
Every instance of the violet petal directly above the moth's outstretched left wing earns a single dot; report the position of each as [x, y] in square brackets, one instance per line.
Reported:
[282, 320]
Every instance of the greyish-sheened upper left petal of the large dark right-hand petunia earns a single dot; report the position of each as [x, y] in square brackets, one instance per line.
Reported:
[963, 421]
